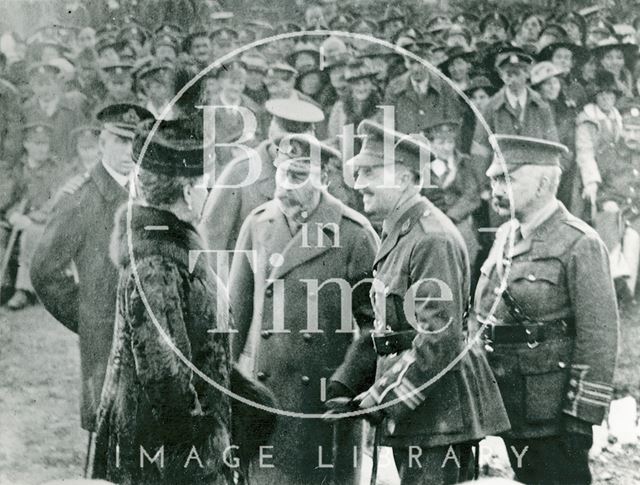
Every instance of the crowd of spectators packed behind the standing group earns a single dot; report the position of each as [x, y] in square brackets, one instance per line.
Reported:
[567, 75]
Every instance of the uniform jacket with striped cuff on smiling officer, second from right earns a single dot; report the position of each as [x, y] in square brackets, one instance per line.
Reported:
[442, 387]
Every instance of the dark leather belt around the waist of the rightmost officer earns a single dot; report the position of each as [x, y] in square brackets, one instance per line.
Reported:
[531, 333]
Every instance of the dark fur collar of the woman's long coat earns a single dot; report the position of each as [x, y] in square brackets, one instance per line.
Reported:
[175, 243]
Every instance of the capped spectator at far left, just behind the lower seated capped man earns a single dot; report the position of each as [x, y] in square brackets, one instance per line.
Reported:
[63, 111]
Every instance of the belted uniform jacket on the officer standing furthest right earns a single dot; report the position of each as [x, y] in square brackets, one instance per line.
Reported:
[560, 272]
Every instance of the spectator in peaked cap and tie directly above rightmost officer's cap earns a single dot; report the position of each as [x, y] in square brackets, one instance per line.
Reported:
[515, 109]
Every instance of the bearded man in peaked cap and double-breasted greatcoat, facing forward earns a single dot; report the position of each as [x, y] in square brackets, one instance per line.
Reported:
[305, 240]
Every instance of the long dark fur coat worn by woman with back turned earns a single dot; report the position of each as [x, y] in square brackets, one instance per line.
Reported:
[151, 398]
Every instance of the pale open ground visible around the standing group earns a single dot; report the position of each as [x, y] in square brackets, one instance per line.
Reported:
[40, 436]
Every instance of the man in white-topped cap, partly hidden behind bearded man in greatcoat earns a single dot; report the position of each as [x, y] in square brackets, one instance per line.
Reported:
[248, 182]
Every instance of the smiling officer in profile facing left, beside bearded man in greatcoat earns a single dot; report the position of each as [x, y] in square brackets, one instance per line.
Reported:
[423, 402]
